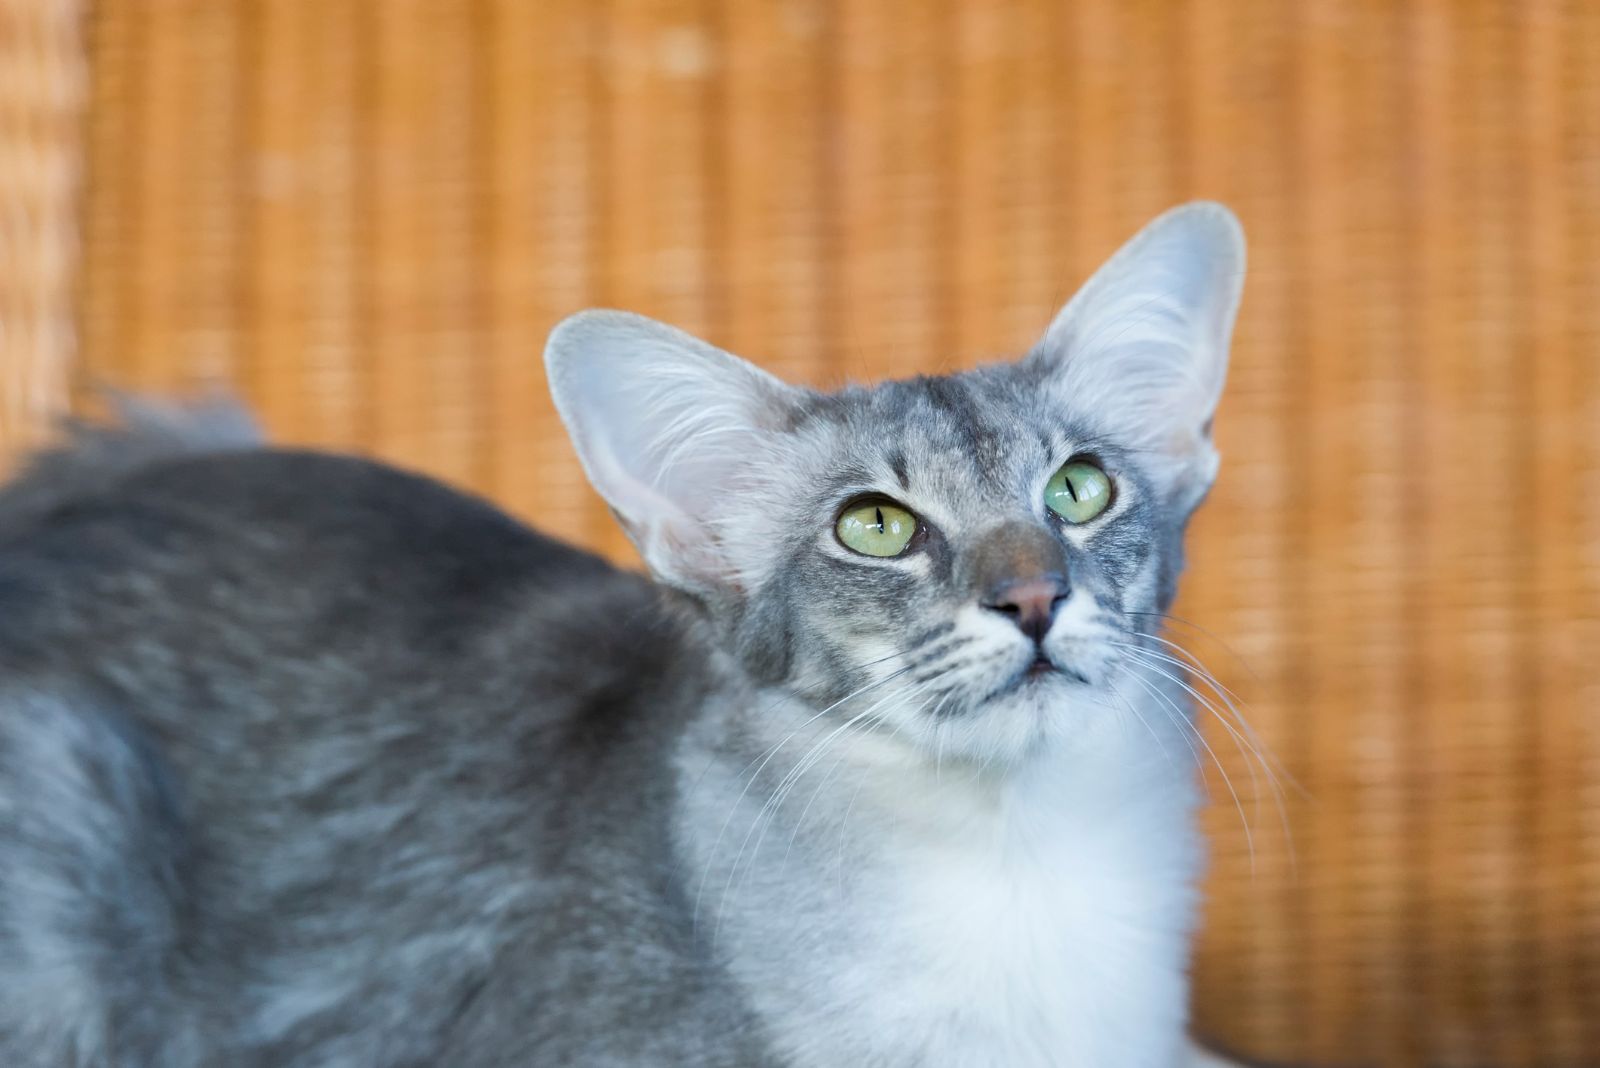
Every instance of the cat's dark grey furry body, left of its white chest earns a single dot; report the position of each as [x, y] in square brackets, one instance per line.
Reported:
[316, 752]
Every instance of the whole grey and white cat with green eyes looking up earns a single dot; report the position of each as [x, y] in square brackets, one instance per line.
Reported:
[311, 762]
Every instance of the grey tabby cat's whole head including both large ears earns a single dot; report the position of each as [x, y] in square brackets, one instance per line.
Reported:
[954, 559]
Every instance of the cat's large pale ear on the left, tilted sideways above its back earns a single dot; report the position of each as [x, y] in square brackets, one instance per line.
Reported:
[663, 423]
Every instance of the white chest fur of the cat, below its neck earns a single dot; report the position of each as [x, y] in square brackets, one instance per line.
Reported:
[943, 922]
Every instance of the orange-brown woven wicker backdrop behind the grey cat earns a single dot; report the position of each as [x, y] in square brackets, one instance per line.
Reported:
[366, 217]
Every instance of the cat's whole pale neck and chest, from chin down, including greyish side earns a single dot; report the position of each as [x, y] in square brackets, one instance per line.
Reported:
[970, 915]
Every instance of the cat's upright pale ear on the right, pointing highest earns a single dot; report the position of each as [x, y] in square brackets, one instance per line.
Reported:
[1143, 348]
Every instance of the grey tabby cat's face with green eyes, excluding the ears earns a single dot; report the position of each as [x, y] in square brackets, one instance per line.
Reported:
[964, 556]
